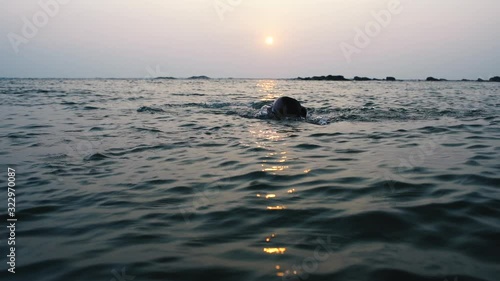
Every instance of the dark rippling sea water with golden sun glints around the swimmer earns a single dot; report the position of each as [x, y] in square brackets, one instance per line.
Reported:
[188, 180]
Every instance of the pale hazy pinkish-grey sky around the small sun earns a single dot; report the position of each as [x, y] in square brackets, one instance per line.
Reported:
[227, 38]
